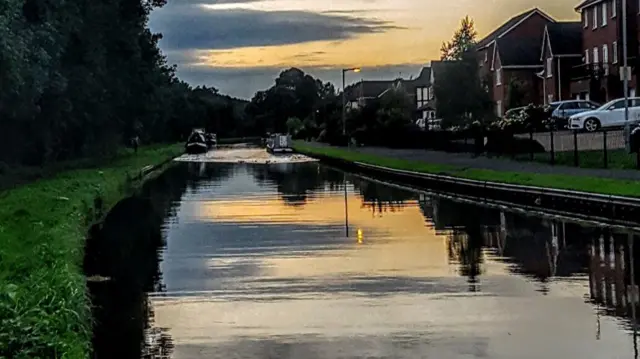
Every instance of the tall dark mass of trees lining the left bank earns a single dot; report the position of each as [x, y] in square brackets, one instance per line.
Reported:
[78, 78]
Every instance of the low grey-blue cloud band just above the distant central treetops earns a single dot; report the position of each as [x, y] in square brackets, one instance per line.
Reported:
[244, 82]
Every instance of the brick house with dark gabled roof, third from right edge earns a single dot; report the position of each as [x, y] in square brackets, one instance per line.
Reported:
[511, 52]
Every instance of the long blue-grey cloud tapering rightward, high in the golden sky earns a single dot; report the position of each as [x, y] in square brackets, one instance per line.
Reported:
[195, 27]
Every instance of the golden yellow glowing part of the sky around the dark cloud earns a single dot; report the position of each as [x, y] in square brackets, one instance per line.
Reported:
[424, 25]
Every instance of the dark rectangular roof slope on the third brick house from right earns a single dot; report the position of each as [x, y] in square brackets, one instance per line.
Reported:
[519, 52]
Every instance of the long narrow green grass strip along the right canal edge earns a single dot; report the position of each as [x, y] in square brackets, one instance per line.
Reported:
[578, 183]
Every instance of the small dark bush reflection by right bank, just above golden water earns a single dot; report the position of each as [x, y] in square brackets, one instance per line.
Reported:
[381, 198]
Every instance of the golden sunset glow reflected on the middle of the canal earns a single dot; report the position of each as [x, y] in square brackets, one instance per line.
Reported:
[415, 247]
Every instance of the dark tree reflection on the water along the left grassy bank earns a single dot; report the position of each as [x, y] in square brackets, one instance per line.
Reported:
[122, 254]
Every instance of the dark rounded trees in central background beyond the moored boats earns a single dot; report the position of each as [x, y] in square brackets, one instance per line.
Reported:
[310, 109]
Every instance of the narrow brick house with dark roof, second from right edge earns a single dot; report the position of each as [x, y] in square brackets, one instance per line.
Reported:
[561, 52]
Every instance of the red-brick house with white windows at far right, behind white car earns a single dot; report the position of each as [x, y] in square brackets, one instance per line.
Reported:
[598, 76]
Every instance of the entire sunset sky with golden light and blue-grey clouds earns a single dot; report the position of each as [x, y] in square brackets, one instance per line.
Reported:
[240, 46]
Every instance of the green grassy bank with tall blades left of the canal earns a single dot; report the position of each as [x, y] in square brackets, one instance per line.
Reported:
[44, 311]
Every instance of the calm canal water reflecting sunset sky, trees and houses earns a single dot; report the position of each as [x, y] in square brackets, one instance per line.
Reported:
[216, 260]
